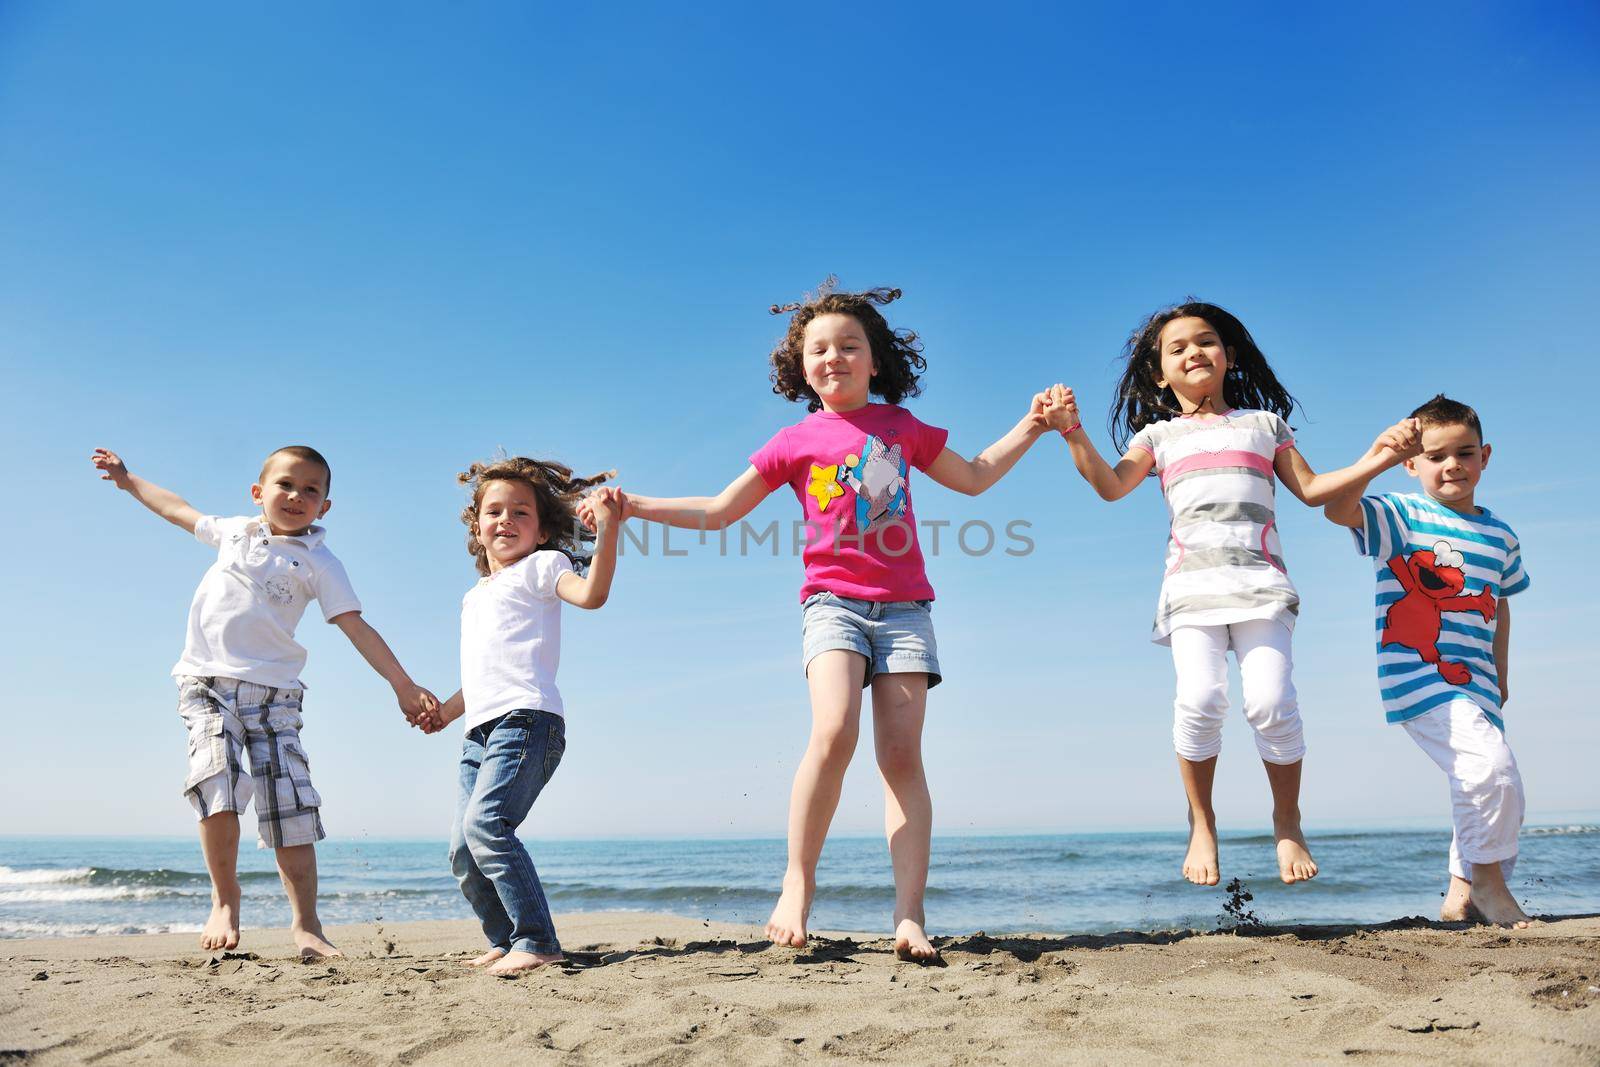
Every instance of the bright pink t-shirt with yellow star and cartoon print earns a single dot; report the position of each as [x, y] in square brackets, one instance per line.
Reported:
[852, 474]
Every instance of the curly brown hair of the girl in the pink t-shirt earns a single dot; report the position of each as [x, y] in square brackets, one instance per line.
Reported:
[897, 353]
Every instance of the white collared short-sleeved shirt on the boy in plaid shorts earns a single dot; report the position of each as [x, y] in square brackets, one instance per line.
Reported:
[244, 615]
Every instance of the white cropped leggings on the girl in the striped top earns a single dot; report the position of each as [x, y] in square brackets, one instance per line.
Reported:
[1265, 665]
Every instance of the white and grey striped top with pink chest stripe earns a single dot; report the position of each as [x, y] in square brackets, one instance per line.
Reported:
[1223, 559]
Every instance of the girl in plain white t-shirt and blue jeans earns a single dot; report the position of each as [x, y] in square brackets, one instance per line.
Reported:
[522, 533]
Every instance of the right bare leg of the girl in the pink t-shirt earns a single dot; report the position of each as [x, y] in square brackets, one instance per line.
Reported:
[900, 703]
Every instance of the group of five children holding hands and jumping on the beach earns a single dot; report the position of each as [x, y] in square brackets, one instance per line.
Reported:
[1198, 406]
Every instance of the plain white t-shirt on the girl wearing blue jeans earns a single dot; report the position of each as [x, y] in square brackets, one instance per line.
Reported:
[511, 639]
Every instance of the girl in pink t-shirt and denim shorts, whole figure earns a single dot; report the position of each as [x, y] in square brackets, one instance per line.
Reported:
[866, 596]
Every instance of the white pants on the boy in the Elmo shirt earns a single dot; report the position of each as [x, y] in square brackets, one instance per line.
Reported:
[1486, 789]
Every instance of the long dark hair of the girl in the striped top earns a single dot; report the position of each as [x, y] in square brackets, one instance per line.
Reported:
[1250, 383]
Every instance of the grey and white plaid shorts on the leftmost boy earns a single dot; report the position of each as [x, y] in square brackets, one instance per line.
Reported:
[226, 716]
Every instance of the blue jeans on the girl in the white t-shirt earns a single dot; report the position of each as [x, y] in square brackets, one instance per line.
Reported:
[505, 764]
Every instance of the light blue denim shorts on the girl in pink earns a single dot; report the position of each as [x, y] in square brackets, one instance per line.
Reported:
[894, 636]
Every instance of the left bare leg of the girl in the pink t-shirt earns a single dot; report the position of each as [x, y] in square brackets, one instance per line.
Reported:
[834, 679]
